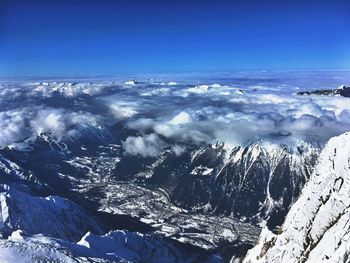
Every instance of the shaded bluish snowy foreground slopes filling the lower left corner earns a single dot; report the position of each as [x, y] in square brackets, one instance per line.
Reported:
[54, 229]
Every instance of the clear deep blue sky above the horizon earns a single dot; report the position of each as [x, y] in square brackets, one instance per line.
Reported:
[110, 37]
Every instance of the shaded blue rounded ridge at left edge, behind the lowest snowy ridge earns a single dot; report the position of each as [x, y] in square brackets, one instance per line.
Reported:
[52, 215]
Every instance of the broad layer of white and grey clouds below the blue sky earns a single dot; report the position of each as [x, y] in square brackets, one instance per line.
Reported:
[187, 112]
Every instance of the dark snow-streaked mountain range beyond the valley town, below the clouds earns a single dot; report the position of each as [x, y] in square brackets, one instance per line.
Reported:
[257, 181]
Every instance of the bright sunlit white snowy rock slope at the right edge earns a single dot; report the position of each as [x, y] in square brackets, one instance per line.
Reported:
[317, 228]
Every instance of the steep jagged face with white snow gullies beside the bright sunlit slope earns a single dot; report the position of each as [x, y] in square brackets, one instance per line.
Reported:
[260, 182]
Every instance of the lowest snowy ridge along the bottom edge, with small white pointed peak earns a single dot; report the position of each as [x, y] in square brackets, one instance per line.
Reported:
[115, 246]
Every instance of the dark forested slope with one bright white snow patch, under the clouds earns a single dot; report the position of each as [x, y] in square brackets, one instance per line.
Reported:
[190, 176]
